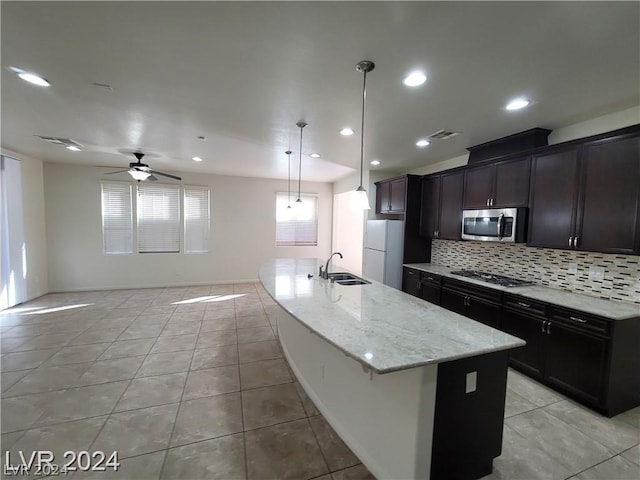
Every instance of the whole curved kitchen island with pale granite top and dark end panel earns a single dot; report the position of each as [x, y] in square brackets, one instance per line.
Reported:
[414, 390]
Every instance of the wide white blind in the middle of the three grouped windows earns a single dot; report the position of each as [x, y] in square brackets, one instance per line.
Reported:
[158, 218]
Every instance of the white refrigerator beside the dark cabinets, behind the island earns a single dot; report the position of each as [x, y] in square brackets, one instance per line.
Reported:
[383, 251]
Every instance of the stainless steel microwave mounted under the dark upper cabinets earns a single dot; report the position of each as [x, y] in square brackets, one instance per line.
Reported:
[495, 225]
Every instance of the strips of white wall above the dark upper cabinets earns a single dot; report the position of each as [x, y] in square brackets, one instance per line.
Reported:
[594, 126]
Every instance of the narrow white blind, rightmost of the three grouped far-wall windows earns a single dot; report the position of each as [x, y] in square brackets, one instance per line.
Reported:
[196, 219]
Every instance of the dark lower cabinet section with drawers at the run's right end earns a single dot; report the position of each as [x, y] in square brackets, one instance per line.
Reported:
[585, 357]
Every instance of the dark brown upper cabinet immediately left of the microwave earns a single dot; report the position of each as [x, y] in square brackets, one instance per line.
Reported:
[441, 213]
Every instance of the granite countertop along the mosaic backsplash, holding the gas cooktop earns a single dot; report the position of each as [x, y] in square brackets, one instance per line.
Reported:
[610, 309]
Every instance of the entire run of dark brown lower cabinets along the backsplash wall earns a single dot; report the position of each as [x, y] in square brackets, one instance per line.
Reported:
[586, 357]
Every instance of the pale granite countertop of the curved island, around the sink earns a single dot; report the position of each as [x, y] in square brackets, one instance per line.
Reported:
[383, 328]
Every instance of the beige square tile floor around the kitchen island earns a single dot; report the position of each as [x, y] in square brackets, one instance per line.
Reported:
[190, 383]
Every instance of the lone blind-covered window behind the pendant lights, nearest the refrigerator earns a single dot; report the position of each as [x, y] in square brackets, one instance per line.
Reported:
[297, 225]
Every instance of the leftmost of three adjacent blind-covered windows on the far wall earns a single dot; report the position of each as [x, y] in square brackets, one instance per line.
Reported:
[117, 224]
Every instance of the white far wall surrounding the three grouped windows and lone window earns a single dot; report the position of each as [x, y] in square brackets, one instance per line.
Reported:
[242, 232]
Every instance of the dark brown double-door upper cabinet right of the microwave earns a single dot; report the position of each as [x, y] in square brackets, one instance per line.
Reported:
[587, 196]
